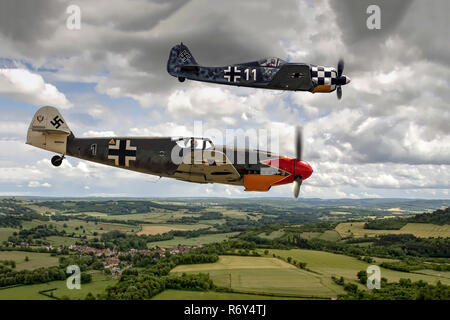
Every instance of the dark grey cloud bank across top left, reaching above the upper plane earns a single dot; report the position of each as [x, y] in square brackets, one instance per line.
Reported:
[144, 34]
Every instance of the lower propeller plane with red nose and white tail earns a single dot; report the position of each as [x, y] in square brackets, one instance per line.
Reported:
[183, 158]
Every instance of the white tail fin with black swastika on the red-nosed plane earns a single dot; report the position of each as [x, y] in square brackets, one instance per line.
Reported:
[48, 130]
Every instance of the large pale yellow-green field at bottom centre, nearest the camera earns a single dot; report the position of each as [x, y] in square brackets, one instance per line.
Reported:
[264, 275]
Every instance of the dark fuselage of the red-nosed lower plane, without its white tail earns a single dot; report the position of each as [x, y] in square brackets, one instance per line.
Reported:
[189, 159]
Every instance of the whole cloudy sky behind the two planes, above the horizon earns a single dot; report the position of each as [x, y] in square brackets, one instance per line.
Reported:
[388, 137]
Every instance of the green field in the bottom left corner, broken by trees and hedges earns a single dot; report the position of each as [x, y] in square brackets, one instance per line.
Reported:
[31, 292]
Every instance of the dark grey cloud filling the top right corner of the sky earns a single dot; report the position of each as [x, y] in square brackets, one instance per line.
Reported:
[417, 27]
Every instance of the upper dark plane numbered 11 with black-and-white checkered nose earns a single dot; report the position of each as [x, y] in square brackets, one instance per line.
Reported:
[268, 73]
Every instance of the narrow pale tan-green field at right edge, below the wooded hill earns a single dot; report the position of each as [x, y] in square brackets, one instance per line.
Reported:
[421, 230]
